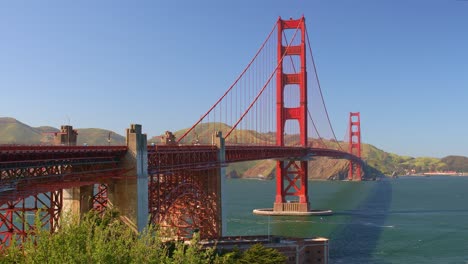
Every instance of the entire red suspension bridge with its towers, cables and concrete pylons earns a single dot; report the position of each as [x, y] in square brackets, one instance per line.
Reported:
[273, 110]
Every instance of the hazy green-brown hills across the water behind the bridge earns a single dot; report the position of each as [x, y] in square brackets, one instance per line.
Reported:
[378, 161]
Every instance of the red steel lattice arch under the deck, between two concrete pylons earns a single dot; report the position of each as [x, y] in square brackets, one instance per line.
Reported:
[186, 201]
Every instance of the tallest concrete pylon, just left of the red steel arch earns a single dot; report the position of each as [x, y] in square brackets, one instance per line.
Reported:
[129, 195]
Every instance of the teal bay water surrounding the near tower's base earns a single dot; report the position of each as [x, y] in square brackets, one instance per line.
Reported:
[407, 220]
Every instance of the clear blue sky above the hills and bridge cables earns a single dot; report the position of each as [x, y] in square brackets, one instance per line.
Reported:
[402, 63]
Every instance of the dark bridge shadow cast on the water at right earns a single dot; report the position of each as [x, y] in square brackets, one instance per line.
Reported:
[357, 241]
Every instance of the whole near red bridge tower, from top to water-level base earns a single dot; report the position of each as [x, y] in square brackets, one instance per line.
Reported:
[291, 175]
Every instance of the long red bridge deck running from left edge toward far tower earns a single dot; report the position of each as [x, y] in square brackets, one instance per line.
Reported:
[34, 169]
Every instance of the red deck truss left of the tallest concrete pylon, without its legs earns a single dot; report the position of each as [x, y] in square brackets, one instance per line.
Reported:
[29, 170]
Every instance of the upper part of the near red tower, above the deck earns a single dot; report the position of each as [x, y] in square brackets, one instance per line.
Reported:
[288, 80]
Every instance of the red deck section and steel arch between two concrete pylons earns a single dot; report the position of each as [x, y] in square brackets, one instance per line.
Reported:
[184, 190]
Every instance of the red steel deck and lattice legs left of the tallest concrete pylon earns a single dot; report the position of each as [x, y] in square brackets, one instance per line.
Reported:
[33, 177]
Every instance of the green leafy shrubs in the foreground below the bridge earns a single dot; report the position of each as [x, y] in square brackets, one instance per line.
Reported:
[106, 239]
